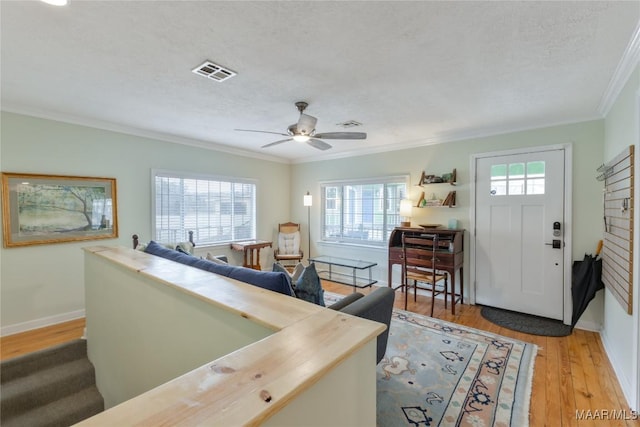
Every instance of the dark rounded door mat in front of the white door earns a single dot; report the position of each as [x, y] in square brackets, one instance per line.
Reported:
[526, 323]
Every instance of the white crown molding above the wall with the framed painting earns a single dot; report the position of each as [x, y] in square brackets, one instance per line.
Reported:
[130, 130]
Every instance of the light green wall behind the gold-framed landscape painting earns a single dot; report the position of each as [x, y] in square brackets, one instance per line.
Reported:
[42, 284]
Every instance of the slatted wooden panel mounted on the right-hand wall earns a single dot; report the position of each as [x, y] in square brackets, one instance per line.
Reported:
[617, 253]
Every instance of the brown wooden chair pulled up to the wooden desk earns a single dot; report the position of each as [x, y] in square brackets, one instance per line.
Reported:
[420, 266]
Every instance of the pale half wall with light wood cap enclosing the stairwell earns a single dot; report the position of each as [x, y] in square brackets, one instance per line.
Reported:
[174, 345]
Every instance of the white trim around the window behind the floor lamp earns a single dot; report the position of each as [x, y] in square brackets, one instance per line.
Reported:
[389, 179]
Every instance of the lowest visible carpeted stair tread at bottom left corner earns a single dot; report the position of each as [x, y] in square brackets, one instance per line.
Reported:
[64, 412]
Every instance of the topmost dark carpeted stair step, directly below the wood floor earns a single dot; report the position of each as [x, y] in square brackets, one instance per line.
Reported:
[43, 359]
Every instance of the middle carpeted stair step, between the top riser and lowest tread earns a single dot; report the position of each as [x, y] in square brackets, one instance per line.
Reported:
[45, 386]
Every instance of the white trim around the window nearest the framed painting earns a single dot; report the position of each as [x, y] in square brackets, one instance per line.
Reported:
[171, 173]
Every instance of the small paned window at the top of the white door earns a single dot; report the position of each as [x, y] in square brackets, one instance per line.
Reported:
[516, 179]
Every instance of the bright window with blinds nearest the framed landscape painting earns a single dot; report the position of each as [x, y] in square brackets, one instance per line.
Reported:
[216, 210]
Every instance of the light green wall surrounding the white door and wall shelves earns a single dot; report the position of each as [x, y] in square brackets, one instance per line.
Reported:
[587, 142]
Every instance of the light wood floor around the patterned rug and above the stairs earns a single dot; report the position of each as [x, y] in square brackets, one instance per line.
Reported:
[571, 373]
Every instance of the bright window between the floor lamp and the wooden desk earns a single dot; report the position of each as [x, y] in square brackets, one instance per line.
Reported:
[362, 212]
